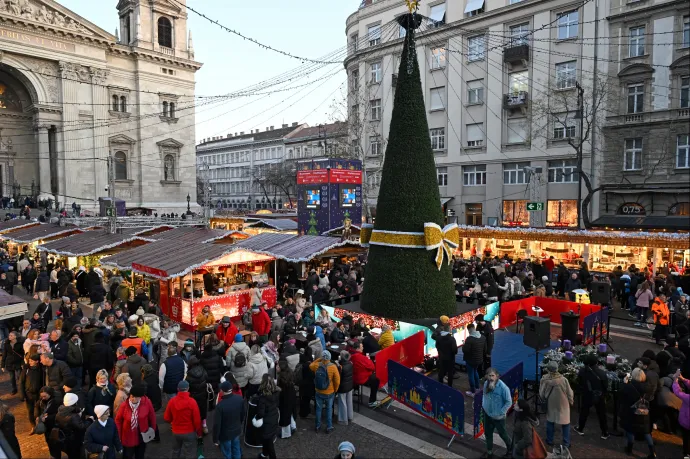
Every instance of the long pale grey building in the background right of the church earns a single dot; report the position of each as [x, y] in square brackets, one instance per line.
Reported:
[236, 167]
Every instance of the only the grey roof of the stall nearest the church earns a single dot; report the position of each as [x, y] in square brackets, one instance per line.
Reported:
[88, 243]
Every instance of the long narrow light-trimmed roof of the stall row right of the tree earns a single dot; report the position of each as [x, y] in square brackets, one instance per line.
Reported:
[640, 239]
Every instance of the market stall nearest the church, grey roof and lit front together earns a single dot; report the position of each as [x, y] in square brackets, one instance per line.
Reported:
[87, 248]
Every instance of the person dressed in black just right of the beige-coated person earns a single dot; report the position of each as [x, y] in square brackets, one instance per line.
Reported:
[593, 384]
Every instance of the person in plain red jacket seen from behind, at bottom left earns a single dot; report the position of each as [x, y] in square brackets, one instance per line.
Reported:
[183, 414]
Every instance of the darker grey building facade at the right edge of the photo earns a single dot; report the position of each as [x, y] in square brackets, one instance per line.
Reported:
[646, 139]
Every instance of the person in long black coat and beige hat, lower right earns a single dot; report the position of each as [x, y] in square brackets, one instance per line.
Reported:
[634, 411]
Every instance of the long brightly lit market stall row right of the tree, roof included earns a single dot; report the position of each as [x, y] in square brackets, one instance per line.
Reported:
[601, 250]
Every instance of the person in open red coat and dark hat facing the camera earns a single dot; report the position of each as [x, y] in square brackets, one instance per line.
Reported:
[134, 417]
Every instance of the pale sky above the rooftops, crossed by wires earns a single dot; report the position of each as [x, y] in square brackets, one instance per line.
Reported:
[305, 28]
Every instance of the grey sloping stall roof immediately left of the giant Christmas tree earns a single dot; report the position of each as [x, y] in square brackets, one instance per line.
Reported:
[292, 248]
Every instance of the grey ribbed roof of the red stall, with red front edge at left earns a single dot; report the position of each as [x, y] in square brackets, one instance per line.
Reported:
[169, 259]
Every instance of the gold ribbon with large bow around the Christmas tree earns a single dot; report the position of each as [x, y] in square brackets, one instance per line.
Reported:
[443, 240]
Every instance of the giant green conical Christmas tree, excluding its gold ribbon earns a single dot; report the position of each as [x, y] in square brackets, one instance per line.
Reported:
[405, 282]
